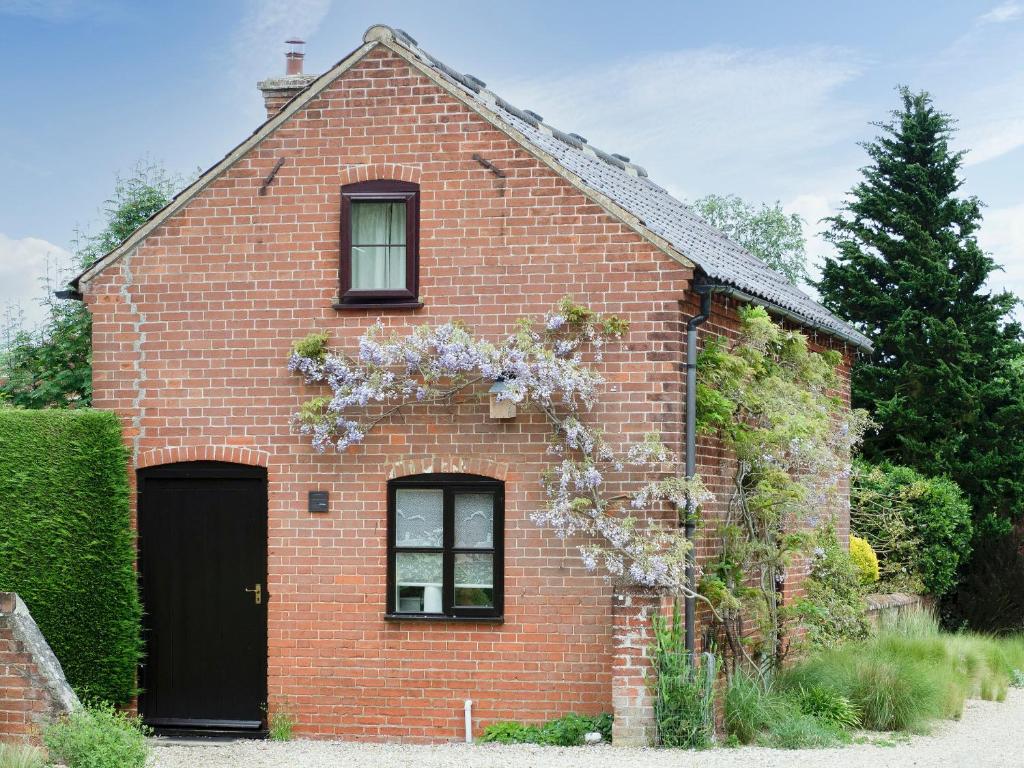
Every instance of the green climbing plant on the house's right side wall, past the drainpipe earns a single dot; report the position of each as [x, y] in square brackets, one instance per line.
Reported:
[775, 404]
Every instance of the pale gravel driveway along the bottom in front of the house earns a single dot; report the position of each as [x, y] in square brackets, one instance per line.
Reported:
[991, 736]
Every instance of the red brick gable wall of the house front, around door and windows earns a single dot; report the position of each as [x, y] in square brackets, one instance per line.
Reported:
[193, 329]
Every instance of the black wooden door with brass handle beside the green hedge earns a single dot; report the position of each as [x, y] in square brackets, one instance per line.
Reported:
[202, 530]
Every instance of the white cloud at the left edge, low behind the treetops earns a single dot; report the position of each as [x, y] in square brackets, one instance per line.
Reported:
[25, 265]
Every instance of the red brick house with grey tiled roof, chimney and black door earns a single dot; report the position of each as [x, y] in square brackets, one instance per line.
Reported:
[391, 187]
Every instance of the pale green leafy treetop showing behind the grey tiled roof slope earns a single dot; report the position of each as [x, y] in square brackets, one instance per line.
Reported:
[770, 234]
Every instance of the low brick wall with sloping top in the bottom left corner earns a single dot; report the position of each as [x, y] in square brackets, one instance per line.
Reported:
[33, 689]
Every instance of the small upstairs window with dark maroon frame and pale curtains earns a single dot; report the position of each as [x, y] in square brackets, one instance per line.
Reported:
[379, 244]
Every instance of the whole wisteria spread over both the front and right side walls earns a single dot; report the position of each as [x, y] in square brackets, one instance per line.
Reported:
[766, 394]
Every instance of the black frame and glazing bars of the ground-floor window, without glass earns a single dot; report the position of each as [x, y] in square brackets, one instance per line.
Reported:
[451, 485]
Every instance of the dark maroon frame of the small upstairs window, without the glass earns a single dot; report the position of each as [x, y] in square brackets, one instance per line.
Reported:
[382, 191]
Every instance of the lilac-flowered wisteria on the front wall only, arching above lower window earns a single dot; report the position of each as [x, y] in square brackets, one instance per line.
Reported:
[612, 500]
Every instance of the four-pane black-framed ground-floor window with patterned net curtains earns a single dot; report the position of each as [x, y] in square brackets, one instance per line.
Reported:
[445, 547]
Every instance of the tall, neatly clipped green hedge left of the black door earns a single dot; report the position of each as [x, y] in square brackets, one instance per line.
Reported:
[67, 545]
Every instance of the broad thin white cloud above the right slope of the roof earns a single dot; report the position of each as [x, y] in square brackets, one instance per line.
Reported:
[709, 119]
